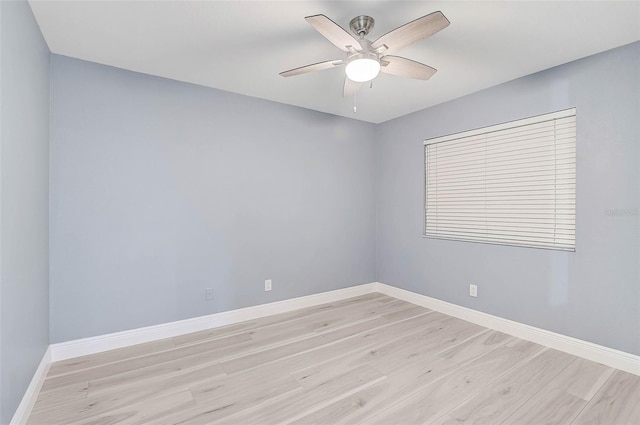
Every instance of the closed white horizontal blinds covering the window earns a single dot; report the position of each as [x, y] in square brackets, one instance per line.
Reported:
[509, 184]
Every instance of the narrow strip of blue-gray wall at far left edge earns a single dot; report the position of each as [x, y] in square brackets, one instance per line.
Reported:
[24, 198]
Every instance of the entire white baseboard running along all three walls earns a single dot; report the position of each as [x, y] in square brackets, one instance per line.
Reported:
[70, 349]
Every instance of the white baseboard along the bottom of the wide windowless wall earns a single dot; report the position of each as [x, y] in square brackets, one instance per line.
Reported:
[100, 343]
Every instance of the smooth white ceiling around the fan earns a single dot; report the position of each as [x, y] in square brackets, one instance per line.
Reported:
[241, 46]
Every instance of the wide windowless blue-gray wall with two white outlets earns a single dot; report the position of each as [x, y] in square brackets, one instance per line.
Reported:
[160, 189]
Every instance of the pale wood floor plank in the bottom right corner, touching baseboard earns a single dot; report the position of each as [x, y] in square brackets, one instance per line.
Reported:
[617, 402]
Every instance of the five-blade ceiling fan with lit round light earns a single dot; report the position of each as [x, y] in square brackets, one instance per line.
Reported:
[365, 59]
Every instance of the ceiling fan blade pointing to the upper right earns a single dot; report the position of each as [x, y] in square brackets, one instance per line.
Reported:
[412, 32]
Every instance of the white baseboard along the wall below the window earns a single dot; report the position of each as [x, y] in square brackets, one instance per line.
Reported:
[588, 350]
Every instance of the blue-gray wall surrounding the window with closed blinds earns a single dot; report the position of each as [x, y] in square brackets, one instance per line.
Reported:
[592, 294]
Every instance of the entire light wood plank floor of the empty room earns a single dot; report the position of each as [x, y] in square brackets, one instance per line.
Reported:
[371, 359]
